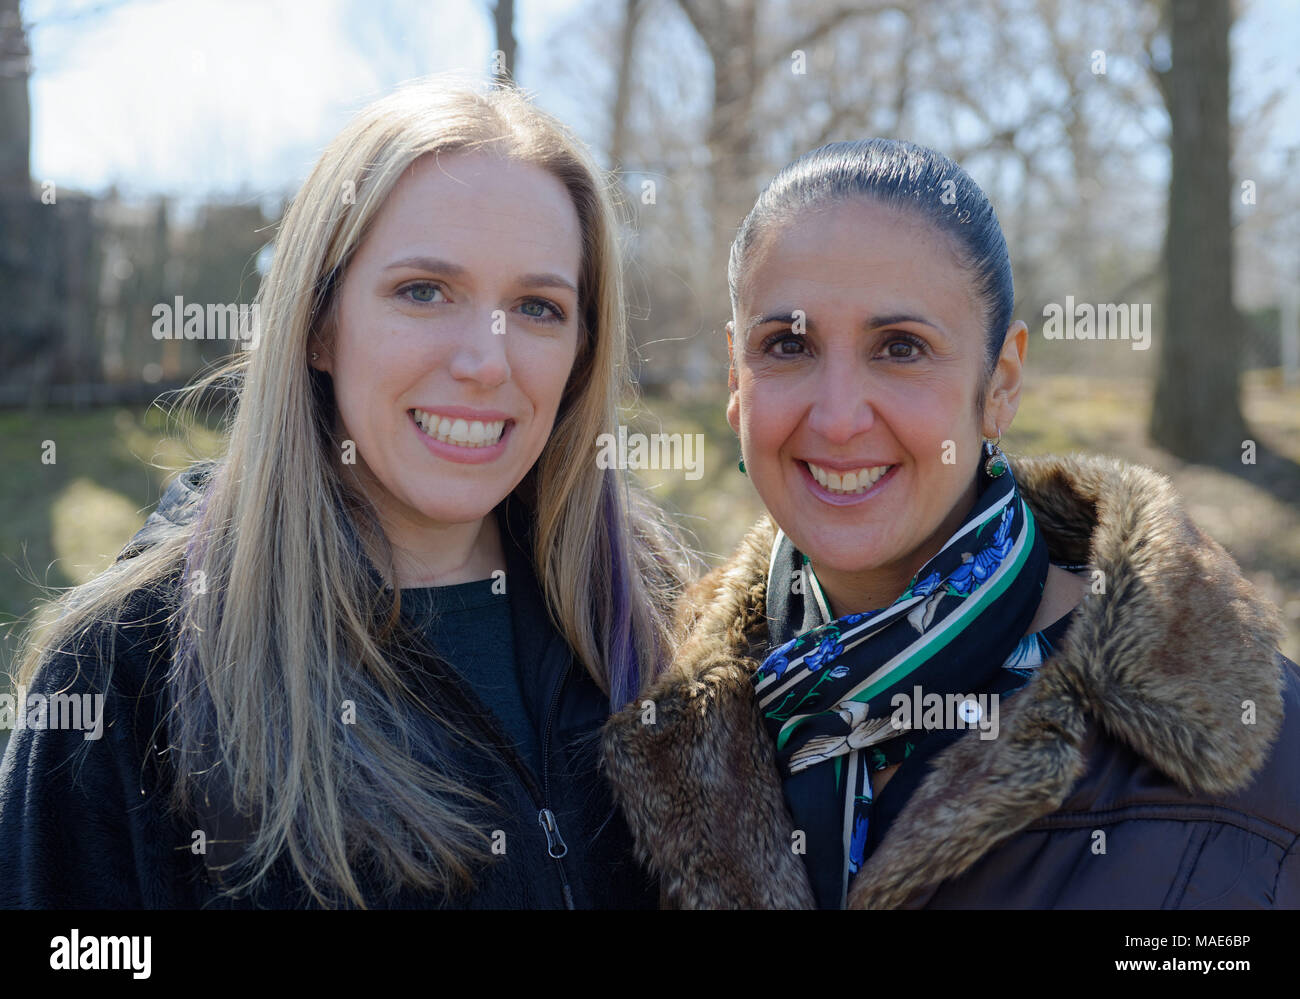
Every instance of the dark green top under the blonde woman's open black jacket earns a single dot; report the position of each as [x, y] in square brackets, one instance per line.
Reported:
[471, 629]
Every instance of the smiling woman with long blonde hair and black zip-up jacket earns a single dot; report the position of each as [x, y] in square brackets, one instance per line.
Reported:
[365, 659]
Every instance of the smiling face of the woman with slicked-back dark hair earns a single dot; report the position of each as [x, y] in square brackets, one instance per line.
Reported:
[861, 434]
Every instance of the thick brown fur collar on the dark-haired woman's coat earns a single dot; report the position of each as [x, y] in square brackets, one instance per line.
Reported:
[1160, 661]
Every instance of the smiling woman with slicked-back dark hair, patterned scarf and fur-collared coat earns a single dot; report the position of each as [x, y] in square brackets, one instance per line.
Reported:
[930, 676]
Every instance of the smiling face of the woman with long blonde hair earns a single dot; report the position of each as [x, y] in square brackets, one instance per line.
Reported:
[456, 334]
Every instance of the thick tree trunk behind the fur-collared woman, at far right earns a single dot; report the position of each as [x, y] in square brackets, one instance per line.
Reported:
[1198, 412]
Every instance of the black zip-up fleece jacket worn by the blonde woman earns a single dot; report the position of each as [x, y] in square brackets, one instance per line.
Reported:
[84, 824]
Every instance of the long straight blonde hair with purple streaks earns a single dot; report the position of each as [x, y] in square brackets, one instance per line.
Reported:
[289, 621]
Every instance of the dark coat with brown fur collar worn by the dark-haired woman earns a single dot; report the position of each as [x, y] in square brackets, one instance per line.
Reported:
[1167, 721]
